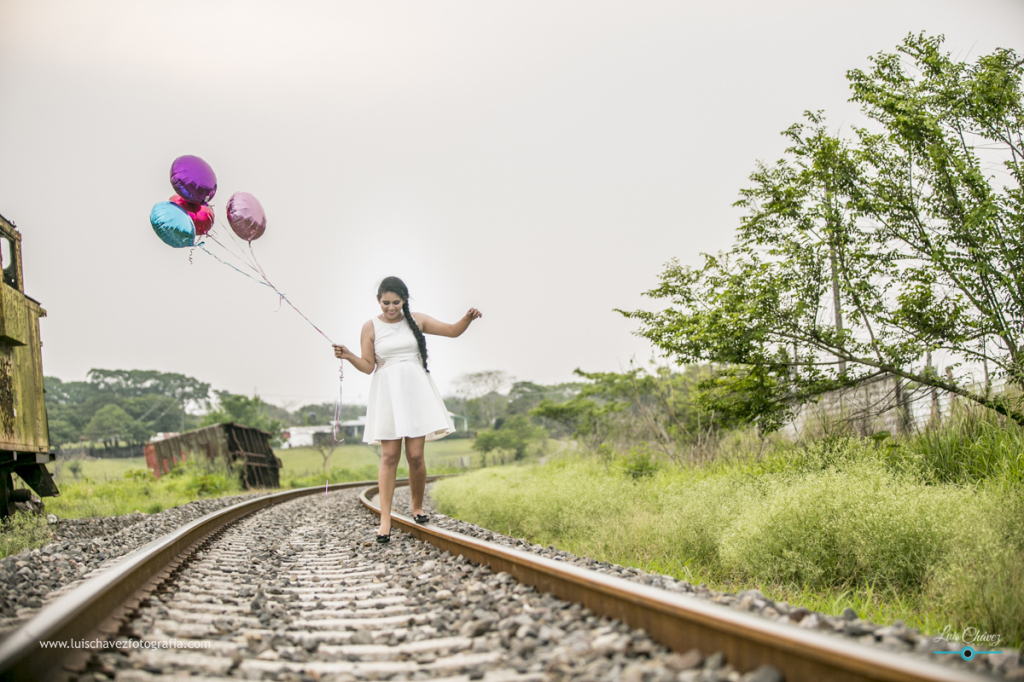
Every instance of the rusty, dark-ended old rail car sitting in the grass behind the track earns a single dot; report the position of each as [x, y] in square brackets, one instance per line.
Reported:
[227, 444]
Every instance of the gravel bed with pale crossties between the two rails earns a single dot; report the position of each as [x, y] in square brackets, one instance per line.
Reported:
[303, 591]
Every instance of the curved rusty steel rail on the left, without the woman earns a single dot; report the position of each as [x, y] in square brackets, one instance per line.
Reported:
[95, 608]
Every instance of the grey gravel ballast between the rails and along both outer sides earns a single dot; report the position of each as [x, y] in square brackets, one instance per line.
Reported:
[310, 545]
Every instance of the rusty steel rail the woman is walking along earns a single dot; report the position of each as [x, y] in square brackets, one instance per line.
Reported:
[686, 623]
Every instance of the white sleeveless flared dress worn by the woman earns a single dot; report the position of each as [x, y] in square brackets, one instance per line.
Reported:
[404, 401]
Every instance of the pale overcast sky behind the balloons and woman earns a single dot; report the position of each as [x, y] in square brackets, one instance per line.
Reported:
[540, 161]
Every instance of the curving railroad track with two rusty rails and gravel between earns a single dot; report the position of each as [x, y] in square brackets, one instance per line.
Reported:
[291, 586]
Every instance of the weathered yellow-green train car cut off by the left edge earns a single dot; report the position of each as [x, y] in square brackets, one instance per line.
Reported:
[25, 443]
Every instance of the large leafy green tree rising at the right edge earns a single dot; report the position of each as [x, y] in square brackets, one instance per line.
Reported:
[861, 258]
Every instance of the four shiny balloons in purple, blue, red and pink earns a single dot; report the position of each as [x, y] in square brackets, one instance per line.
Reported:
[189, 216]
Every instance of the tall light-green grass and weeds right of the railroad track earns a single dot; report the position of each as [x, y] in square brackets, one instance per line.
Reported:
[897, 531]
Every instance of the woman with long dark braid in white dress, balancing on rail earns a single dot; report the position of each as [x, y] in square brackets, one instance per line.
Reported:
[404, 402]
